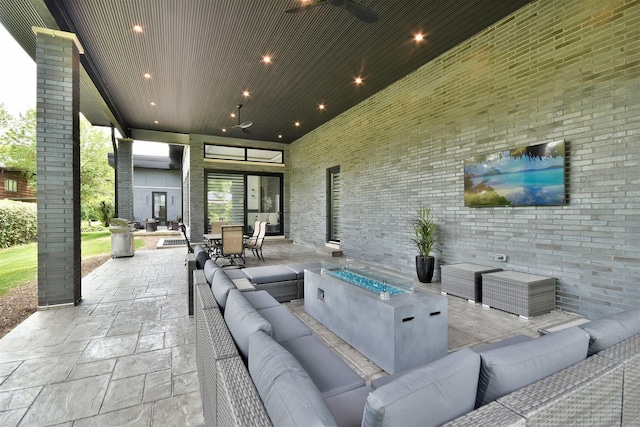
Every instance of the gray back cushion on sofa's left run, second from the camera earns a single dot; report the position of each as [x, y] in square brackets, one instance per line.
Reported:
[243, 320]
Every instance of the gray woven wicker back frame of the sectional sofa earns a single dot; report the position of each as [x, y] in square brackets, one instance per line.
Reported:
[603, 389]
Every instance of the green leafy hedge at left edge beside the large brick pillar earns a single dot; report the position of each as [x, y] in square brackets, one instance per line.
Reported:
[18, 223]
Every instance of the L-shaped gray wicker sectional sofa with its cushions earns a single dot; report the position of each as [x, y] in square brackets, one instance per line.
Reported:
[258, 364]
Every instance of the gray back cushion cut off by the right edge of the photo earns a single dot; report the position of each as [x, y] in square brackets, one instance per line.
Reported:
[610, 330]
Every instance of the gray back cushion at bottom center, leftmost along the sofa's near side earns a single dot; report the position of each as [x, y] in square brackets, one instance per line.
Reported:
[427, 396]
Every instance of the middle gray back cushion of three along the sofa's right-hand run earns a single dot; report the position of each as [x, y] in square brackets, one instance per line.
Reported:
[510, 368]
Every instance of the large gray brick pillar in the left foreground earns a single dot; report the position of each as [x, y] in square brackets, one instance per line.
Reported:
[58, 162]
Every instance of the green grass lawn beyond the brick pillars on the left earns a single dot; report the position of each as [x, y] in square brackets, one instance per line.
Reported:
[19, 264]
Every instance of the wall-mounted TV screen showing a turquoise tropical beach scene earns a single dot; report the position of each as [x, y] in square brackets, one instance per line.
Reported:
[532, 175]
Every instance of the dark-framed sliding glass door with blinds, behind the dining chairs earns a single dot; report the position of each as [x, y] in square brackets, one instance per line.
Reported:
[240, 198]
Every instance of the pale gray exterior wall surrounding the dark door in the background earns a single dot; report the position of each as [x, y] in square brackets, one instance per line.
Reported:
[146, 182]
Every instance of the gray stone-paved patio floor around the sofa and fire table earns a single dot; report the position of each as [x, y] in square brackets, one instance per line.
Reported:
[126, 354]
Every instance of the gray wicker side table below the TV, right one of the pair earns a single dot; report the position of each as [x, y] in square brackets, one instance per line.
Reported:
[523, 294]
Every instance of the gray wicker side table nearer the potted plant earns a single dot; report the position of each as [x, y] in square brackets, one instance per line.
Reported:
[464, 280]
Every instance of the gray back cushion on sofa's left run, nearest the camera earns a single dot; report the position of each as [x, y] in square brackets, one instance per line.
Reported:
[288, 394]
